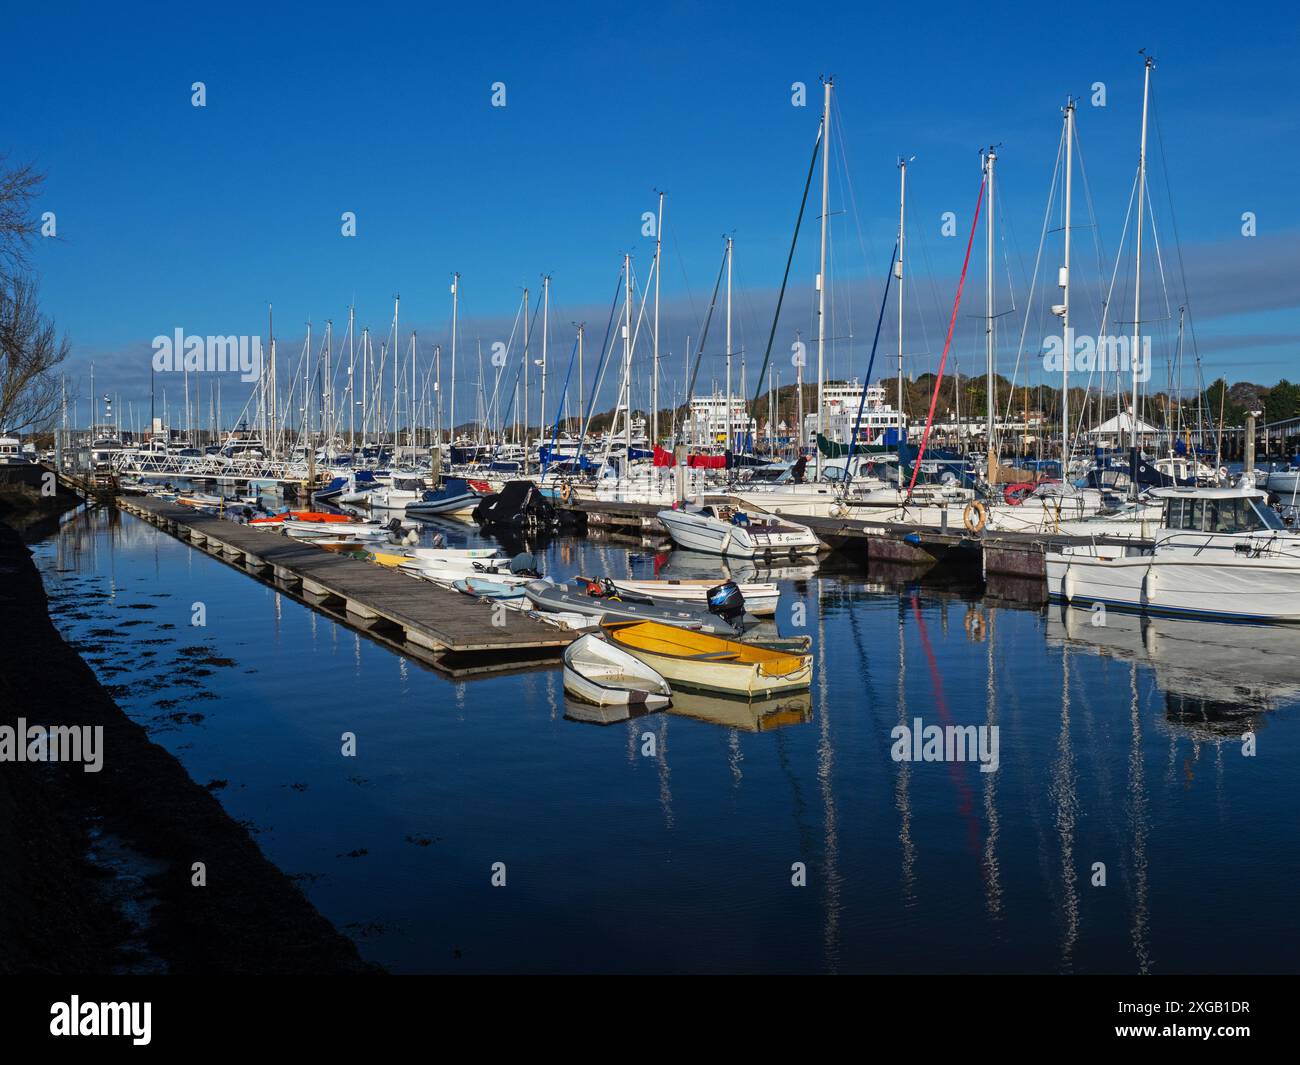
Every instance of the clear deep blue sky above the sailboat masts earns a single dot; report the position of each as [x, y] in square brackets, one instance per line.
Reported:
[179, 217]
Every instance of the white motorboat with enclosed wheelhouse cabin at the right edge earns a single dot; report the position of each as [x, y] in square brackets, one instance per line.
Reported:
[1220, 553]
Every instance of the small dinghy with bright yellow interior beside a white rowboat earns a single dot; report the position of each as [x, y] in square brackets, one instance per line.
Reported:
[709, 664]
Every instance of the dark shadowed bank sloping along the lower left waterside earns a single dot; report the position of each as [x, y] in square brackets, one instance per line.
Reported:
[63, 914]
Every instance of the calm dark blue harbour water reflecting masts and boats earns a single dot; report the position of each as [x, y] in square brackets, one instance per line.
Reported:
[1120, 744]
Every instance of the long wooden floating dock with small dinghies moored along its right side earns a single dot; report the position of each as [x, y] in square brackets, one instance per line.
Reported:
[453, 633]
